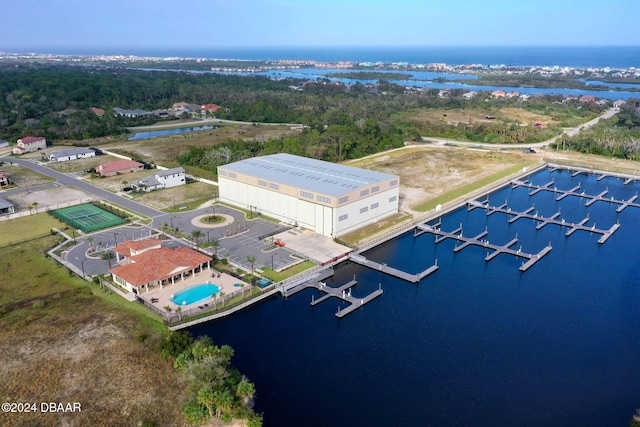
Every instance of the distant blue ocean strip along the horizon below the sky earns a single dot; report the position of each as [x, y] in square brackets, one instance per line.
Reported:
[571, 56]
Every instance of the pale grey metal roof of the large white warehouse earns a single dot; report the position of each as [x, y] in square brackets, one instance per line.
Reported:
[308, 174]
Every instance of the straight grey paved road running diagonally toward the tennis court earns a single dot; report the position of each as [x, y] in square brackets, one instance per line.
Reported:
[65, 179]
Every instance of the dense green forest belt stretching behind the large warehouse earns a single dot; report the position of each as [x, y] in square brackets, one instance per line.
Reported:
[341, 120]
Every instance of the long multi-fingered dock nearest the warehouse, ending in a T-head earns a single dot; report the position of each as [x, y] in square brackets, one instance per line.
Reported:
[478, 240]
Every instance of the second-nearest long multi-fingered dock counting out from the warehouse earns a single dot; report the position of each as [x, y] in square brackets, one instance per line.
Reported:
[543, 221]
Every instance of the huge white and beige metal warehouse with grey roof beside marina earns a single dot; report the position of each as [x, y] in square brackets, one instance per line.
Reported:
[328, 198]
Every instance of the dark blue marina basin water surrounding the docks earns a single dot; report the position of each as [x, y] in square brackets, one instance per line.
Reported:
[476, 343]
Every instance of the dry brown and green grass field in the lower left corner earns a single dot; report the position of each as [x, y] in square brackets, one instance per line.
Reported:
[68, 341]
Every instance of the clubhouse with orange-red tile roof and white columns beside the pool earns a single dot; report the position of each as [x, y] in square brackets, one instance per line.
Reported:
[146, 263]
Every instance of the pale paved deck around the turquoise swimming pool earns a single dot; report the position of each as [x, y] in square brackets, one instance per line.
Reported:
[225, 282]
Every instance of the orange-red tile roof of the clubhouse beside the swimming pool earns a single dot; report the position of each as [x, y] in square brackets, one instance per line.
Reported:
[159, 264]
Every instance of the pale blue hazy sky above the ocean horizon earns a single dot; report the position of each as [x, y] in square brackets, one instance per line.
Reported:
[47, 25]
